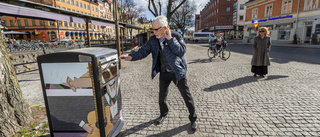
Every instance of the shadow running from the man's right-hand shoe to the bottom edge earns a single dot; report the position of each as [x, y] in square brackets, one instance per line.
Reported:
[174, 131]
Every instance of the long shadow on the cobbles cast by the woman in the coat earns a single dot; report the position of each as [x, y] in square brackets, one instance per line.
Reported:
[240, 81]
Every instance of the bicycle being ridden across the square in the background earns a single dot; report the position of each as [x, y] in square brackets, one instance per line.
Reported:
[223, 52]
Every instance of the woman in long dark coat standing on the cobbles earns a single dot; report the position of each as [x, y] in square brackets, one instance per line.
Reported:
[261, 48]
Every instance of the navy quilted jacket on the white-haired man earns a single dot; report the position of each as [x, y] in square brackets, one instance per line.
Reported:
[174, 50]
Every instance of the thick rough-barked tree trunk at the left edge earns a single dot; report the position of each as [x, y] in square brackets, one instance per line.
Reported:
[14, 110]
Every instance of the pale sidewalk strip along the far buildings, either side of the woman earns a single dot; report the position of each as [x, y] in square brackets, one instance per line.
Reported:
[280, 44]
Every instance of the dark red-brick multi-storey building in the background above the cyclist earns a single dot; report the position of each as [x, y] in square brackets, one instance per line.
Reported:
[217, 17]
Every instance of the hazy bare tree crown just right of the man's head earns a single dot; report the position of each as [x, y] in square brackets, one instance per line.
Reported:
[184, 16]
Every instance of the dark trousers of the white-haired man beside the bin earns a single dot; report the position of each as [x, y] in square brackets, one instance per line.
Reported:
[165, 80]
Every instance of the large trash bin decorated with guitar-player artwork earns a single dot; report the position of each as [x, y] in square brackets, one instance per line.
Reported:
[81, 90]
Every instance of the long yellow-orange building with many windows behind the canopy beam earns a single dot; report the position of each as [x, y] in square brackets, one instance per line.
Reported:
[48, 30]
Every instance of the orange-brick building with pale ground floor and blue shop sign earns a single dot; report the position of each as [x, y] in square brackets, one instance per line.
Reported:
[284, 19]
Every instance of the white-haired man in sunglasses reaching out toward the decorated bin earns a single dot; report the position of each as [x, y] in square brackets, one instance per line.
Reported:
[168, 49]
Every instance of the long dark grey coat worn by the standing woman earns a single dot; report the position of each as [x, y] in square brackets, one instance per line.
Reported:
[261, 48]
